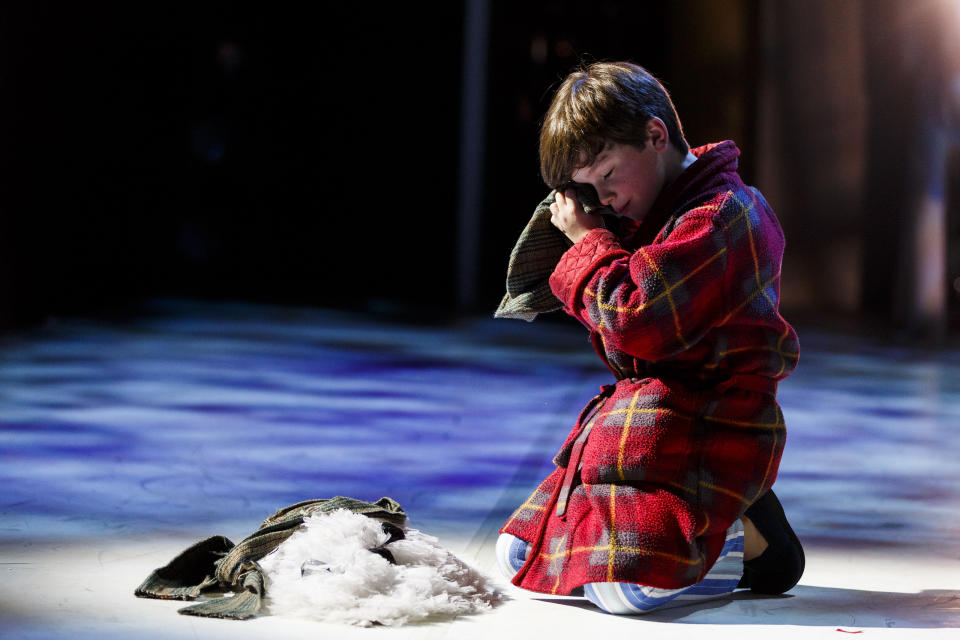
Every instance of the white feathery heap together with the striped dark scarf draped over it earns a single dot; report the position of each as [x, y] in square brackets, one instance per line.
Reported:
[334, 560]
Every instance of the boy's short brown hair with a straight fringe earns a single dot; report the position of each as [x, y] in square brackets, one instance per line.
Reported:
[606, 101]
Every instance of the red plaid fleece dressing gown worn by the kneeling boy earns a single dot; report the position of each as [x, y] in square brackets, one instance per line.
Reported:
[660, 464]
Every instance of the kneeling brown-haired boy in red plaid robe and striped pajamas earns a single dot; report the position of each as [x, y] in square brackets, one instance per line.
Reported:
[661, 493]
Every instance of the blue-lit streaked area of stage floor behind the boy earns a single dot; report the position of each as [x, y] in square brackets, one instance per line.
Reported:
[204, 418]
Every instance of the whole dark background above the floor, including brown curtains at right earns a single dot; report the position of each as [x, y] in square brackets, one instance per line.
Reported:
[310, 156]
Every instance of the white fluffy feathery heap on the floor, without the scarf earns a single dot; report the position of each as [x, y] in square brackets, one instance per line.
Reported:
[326, 571]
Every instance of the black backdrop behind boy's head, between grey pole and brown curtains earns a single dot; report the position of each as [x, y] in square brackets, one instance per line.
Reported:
[703, 52]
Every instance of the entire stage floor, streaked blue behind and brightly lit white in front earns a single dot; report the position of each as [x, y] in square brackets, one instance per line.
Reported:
[122, 442]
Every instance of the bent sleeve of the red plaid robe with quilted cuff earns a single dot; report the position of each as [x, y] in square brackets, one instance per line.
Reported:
[655, 302]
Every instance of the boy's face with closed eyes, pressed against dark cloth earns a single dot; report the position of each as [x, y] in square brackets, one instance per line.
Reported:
[626, 177]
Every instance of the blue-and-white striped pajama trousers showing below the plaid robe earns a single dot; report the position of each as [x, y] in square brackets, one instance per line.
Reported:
[625, 598]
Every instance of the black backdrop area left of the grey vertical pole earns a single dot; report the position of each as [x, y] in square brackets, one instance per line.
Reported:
[227, 151]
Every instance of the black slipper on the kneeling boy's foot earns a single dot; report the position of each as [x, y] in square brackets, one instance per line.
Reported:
[779, 567]
